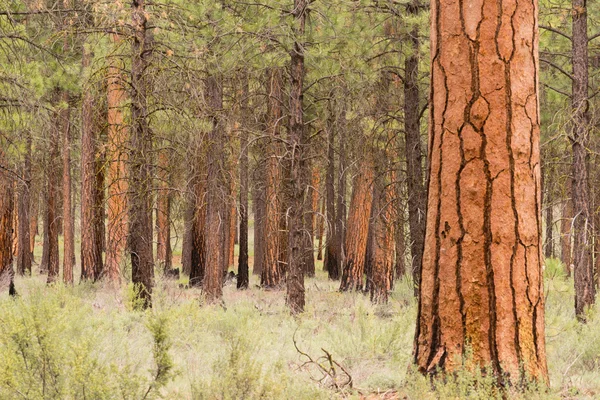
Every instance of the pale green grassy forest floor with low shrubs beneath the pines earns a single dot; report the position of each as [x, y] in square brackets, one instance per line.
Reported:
[89, 342]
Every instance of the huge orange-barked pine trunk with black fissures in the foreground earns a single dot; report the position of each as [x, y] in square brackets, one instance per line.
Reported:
[481, 292]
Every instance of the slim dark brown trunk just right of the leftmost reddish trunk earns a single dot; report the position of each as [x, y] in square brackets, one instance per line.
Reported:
[24, 255]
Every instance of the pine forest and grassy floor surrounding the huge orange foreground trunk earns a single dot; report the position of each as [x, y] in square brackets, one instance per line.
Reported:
[140, 139]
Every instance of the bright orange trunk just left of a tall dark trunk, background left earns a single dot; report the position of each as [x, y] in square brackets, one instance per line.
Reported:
[118, 184]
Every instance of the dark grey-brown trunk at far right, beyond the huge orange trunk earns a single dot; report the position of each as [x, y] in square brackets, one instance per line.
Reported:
[582, 224]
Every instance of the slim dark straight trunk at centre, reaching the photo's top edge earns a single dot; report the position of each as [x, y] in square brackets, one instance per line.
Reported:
[297, 179]
